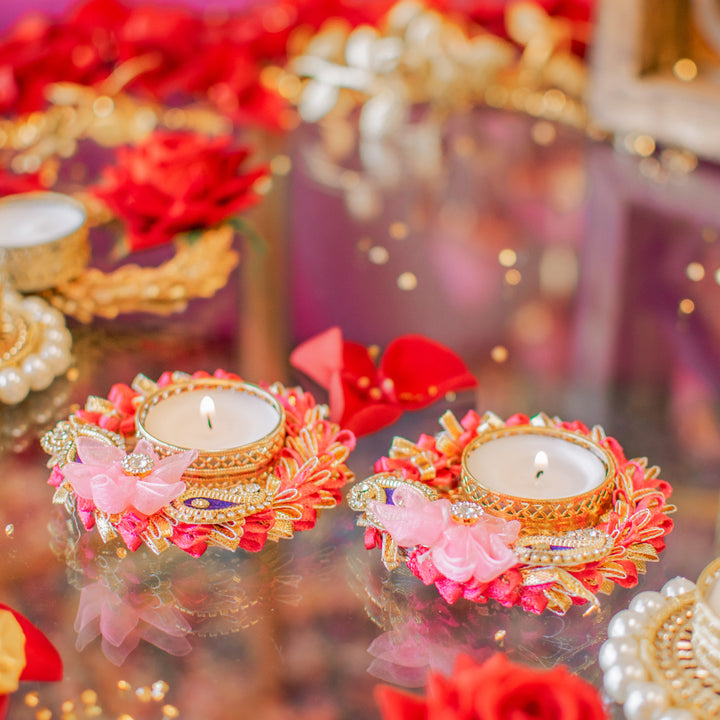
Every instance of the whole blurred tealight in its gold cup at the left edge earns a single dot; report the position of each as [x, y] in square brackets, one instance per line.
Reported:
[43, 240]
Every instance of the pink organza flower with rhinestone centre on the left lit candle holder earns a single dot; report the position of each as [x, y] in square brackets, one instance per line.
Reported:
[117, 482]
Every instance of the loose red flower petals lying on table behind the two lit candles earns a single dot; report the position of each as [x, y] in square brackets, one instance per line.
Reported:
[413, 372]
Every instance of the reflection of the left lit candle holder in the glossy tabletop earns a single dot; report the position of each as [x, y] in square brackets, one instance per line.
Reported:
[164, 601]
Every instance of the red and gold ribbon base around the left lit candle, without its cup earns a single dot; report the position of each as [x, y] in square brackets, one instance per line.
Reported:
[117, 483]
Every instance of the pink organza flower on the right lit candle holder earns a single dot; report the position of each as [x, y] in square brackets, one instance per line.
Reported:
[460, 552]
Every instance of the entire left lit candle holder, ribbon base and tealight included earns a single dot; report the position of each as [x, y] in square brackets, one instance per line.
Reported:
[233, 464]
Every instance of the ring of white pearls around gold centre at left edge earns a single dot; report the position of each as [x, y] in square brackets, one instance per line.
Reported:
[50, 356]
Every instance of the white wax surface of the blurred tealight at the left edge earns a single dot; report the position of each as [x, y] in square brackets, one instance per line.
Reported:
[38, 219]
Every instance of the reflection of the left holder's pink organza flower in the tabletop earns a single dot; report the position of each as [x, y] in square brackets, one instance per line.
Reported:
[123, 622]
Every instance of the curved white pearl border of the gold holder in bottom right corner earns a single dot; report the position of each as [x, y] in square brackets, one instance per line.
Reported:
[625, 676]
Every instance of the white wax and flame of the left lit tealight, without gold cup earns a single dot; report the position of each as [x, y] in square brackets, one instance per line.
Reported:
[236, 419]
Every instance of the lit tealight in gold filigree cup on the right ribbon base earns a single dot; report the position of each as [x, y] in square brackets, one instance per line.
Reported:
[550, 479]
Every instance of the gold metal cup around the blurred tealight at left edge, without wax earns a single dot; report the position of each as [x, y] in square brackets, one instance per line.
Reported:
[40, 267]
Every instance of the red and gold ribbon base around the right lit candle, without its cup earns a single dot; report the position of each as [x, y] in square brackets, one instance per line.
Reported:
[417, 511]
